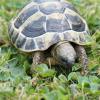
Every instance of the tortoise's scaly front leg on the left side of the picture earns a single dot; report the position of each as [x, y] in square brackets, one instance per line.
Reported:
[38, 58]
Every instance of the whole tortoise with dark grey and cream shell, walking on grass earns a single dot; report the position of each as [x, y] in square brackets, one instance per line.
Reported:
[51, 28]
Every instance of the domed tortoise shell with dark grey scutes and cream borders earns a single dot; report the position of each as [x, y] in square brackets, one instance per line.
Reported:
[42, 23]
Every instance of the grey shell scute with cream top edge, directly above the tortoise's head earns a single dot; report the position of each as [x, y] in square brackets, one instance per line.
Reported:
[57, 24]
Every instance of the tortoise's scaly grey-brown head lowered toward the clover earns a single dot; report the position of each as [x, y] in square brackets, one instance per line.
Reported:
[64, 53]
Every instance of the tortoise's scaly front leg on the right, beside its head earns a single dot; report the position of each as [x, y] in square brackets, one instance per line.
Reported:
[81, 53]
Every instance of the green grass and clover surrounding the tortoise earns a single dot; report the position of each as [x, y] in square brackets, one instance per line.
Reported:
[48, 83]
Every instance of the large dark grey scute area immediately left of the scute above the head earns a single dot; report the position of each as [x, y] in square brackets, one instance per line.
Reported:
[35, 28]
